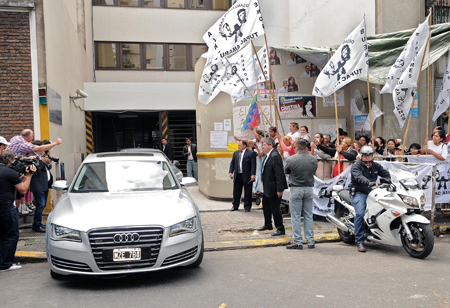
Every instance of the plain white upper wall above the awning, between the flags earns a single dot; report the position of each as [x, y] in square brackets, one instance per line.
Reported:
[322, 23]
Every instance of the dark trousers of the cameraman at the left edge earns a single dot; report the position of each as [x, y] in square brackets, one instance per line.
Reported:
[9, 236]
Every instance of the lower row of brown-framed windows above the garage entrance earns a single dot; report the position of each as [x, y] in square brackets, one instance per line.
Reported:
[148, 56]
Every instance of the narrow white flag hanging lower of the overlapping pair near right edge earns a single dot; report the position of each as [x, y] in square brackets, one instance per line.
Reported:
[405, 89]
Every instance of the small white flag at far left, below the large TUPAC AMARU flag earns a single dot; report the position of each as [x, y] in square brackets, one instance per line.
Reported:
[213, 74]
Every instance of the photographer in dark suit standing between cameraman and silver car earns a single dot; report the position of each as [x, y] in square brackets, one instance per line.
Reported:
[39, 184]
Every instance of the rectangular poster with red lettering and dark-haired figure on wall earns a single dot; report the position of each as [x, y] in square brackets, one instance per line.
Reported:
[297, 106]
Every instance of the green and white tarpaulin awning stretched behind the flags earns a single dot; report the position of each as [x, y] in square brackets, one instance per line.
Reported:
[384, 49]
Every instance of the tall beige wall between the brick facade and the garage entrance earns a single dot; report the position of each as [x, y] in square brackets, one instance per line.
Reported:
[68, 64]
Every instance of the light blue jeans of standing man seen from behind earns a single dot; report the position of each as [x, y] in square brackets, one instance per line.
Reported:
[302, 199]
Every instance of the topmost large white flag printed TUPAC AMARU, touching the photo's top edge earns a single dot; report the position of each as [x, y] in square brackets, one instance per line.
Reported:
[242, 23]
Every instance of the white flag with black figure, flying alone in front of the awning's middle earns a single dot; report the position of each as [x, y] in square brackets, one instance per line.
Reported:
[350, 62]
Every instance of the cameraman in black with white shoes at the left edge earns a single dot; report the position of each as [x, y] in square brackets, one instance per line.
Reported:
[9, 221]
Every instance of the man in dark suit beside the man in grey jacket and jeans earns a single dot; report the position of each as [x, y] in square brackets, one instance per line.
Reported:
[274, 183]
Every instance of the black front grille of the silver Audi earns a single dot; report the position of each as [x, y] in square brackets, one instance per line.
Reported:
[102, 243]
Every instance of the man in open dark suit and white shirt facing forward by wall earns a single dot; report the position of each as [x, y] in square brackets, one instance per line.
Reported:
[243, 167]
